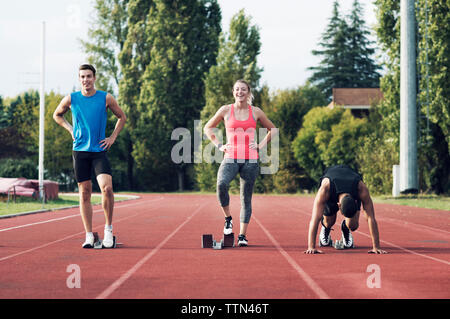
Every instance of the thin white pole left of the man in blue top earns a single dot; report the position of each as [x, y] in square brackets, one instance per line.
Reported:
[42, 117]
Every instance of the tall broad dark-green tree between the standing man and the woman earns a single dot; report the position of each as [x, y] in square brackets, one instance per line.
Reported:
[183, 41]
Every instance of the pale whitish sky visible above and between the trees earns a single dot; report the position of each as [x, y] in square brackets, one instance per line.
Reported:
[289, 31]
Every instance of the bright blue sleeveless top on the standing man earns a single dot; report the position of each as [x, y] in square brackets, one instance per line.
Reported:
[89, 121]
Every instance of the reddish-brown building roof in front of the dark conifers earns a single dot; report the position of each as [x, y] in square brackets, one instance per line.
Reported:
[355, 98]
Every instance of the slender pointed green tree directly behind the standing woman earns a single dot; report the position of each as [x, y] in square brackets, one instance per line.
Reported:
[237, 59]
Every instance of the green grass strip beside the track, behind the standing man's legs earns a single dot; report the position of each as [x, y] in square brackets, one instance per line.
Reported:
[23, 204]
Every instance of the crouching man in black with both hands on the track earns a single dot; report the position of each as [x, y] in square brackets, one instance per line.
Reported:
[341, 189]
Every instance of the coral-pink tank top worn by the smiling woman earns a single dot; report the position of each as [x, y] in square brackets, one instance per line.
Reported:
[239, 135]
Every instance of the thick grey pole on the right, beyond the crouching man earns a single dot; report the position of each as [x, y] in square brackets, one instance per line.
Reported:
[408, 109]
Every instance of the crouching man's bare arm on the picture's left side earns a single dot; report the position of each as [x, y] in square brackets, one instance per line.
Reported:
[317, 213]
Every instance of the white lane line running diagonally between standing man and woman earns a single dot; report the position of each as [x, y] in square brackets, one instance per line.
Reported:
[115, 285]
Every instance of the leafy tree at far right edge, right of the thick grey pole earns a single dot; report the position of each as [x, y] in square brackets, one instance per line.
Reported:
[433, 61]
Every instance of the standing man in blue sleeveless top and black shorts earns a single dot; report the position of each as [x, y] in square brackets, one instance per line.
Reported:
[89, 115]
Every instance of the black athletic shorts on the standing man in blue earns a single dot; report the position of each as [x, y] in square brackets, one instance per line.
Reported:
[84, 163]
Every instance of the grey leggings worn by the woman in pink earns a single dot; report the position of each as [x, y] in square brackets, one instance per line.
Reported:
[227, 172]
